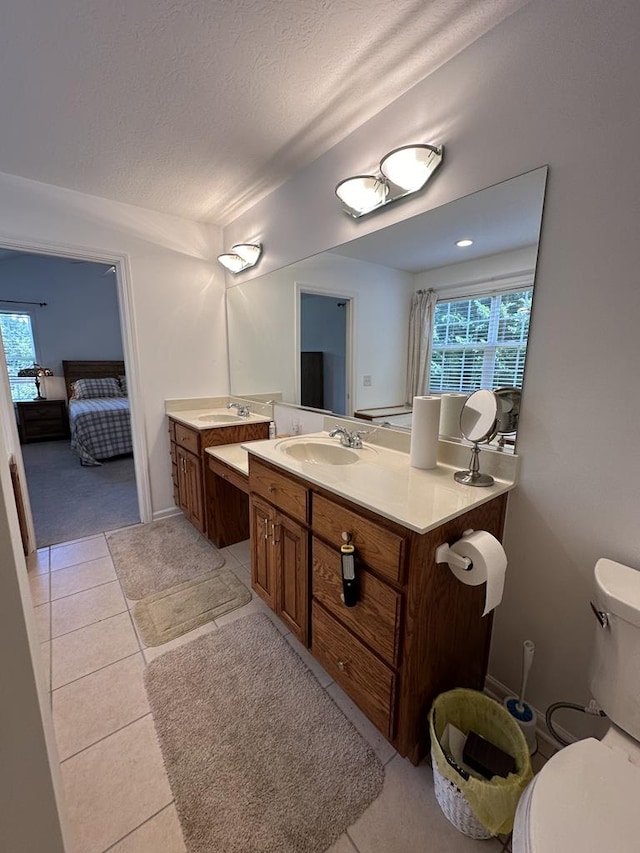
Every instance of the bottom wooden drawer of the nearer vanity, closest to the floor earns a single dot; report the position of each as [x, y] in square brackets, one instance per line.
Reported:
[369, 682]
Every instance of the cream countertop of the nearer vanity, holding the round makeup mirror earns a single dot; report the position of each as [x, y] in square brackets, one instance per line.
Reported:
[385, 483]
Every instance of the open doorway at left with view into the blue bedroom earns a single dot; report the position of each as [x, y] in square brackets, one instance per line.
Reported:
[53, 310]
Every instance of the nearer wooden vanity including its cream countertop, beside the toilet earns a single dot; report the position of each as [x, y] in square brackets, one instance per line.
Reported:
[415, 631]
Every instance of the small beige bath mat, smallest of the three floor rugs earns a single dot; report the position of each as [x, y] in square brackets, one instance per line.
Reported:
[179, 609]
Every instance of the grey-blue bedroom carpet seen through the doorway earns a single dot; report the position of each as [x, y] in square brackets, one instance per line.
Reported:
[69, 501]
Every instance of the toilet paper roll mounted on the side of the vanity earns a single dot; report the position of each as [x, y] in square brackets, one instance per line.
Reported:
[489, 564]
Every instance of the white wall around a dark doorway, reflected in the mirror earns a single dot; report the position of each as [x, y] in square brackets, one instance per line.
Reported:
[264, 359]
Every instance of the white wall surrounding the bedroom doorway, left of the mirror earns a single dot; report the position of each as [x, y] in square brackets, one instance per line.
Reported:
[177, 294]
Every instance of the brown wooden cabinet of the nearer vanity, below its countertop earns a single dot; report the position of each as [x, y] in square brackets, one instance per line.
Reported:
[415, 631]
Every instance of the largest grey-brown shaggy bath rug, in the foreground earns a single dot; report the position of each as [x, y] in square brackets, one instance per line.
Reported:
[258, 755]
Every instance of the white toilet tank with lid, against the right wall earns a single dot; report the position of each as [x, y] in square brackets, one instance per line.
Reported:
[615, 669]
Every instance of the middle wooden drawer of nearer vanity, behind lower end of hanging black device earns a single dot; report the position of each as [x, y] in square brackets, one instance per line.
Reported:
[376, 616]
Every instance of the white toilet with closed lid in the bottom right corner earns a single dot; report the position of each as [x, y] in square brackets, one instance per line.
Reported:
[587, 797]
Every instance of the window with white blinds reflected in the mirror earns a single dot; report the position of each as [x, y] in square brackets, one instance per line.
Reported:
[480, 342]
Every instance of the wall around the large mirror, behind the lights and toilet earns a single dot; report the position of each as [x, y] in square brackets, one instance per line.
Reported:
[556, 83]
